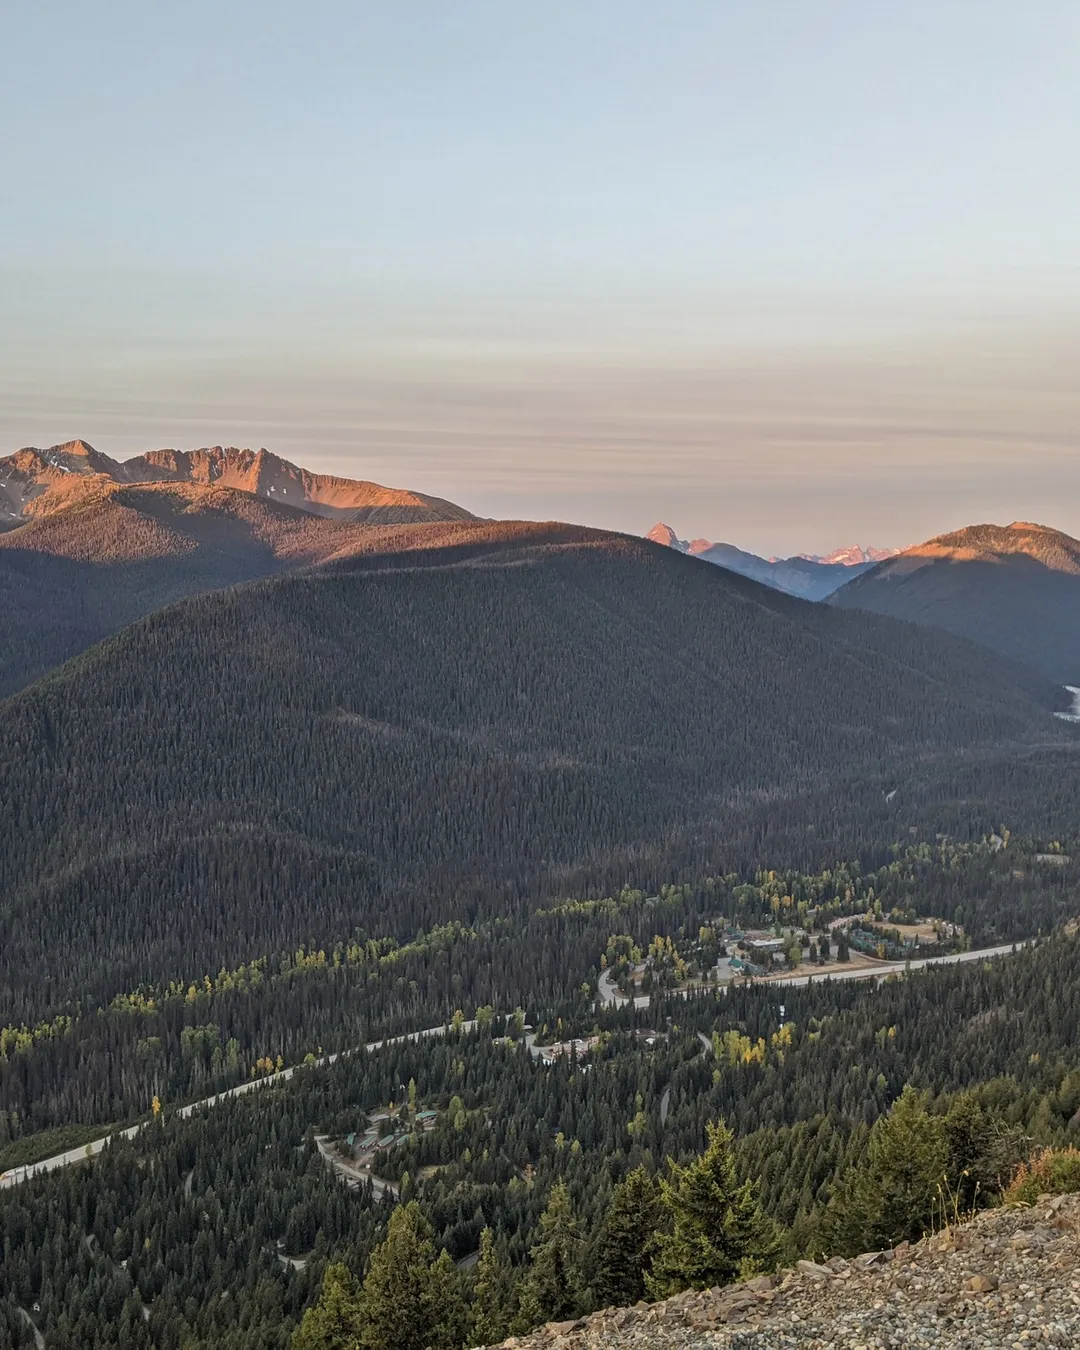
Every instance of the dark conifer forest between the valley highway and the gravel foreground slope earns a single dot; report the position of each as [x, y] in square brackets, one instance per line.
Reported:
[221, 1229]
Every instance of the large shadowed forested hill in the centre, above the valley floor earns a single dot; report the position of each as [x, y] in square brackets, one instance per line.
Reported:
[400, 739]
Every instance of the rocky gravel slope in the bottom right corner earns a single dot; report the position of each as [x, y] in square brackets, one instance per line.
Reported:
[1009, 1279]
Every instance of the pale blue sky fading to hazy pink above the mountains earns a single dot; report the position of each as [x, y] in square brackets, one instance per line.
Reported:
[792, 275]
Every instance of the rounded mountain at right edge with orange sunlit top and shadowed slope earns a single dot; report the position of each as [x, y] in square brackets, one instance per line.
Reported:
[1015, 589]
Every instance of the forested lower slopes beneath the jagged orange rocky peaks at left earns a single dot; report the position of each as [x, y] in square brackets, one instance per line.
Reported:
[105, 554]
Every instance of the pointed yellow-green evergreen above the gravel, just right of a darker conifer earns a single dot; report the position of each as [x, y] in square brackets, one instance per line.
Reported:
[719, 1229]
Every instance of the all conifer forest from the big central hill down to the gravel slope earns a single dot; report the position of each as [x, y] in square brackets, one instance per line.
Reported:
[268, 827]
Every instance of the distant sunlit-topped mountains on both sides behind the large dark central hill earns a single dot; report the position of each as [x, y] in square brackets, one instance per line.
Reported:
[90, 543]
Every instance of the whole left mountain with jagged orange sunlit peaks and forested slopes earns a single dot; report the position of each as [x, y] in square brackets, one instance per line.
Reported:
[90, 543]
